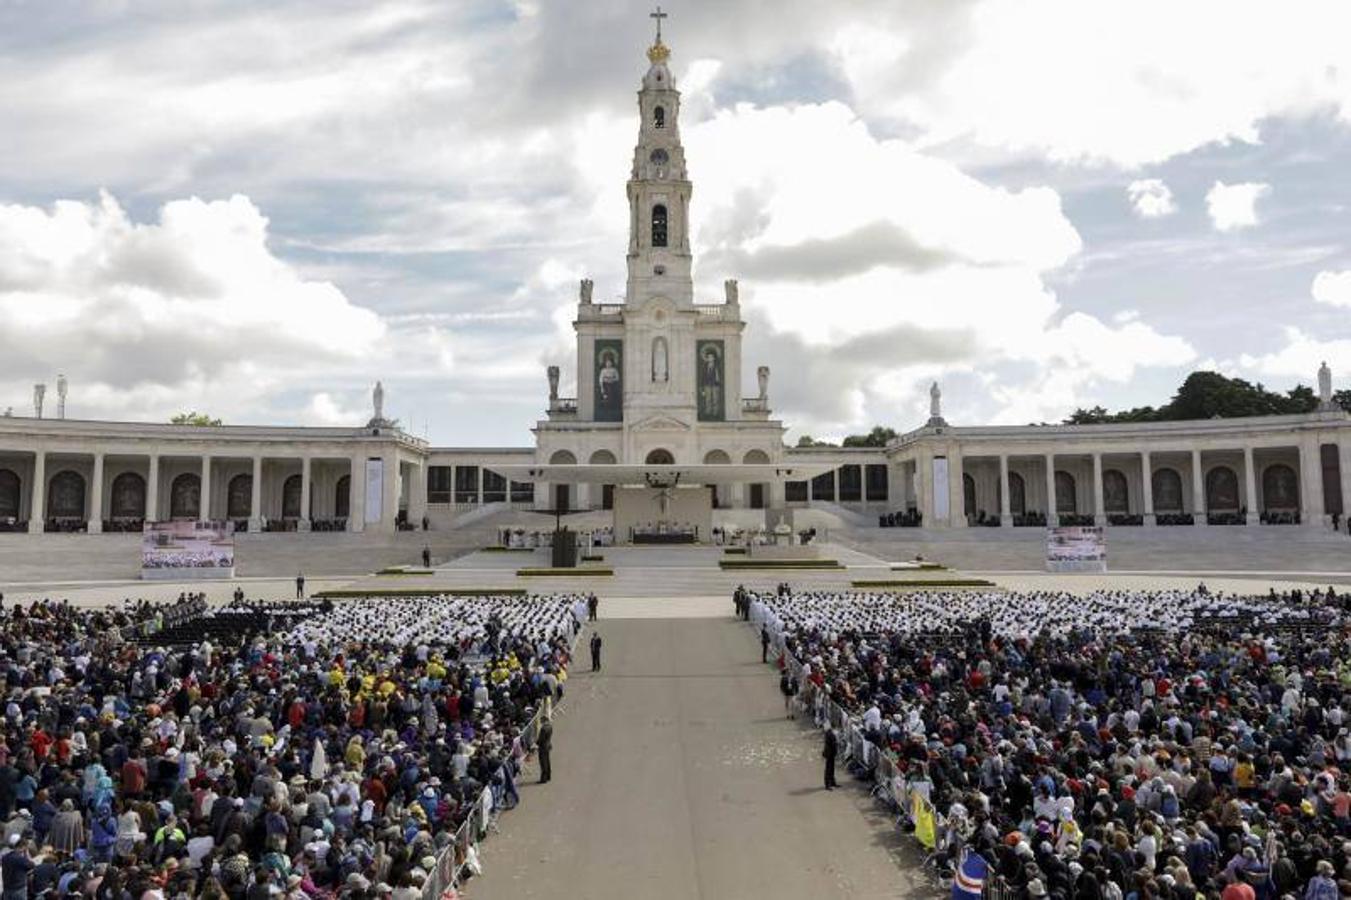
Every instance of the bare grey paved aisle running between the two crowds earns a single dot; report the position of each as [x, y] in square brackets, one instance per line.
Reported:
[676, 776]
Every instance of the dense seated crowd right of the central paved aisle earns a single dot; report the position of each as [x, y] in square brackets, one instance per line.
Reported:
[1126, 745]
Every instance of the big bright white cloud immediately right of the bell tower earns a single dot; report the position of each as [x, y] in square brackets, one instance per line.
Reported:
[873, 268]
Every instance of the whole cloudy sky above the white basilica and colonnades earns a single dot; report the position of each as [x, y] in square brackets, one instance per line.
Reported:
[259, 209]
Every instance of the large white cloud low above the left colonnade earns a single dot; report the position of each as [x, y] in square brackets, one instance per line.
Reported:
[188, 311]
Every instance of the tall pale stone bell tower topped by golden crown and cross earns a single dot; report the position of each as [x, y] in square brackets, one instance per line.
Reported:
[660, 259]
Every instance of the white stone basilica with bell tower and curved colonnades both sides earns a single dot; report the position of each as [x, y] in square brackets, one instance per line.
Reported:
[665, 397]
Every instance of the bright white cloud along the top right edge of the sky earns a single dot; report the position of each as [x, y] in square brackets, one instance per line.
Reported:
[1122, 82]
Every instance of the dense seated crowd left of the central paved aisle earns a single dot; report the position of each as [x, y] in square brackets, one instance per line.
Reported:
[330, 759]
